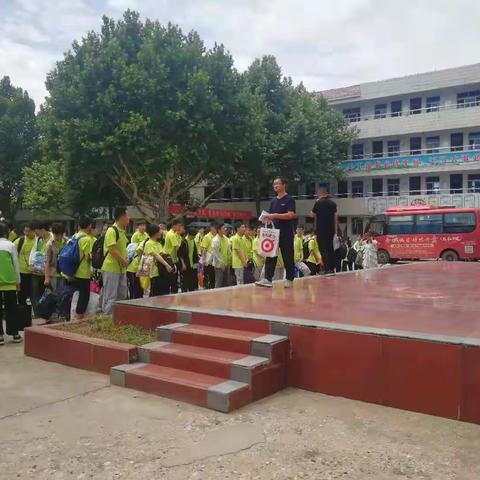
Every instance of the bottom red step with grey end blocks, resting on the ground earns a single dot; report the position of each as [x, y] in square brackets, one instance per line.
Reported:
[204, 390]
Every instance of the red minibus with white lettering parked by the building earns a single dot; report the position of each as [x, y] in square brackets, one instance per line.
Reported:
[427, 232]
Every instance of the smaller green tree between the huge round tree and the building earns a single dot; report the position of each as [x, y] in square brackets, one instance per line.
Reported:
[300, 136]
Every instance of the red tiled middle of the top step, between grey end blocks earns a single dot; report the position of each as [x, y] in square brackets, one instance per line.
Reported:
[213, 337]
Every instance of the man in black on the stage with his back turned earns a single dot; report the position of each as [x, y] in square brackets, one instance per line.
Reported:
[325, 213]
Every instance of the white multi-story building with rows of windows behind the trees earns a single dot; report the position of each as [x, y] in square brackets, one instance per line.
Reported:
[418, 143]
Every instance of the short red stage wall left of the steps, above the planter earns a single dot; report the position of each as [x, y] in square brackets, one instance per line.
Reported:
[148, 318]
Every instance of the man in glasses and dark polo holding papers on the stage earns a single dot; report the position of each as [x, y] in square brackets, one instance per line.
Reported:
[282, 214]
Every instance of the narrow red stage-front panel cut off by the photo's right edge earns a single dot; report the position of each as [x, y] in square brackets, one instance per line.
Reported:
[470, 407]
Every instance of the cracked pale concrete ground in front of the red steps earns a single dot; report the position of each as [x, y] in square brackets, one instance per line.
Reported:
[58, 422]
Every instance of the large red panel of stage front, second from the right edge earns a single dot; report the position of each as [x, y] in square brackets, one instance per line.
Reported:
[422, 376]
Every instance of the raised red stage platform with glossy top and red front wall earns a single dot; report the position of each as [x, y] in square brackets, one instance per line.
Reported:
[405, 336]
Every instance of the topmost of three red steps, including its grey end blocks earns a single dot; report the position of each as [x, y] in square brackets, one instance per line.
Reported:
[273, 347]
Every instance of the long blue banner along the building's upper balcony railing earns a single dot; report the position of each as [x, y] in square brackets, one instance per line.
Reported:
[411, 161]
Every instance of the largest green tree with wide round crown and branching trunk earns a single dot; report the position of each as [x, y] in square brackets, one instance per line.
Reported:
[147, 109]
